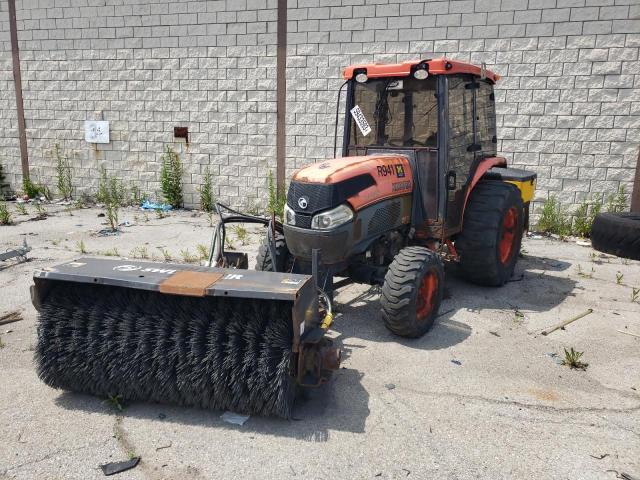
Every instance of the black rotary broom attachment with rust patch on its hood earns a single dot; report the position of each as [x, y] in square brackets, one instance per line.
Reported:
[237, 340]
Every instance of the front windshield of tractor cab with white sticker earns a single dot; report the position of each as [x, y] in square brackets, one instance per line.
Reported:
[400, 113]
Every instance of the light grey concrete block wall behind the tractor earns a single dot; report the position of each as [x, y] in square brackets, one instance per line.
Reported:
[568, 103]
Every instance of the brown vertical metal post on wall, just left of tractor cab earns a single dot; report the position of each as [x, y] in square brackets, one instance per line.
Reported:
[281, 96]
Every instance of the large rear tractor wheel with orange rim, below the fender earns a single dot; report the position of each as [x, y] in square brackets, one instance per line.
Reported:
[491, 233]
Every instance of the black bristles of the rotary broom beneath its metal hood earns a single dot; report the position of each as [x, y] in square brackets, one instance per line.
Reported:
[219, 353]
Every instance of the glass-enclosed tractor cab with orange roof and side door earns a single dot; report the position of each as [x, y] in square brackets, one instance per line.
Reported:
[439, 113]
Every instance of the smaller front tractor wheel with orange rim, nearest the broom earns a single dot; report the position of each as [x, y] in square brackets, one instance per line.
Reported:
[412, 292]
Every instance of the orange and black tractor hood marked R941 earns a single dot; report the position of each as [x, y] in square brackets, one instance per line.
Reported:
[358, 181]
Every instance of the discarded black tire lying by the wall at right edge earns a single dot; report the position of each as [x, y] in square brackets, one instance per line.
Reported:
[618, 234]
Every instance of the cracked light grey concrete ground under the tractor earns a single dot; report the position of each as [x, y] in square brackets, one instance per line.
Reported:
[480, 396]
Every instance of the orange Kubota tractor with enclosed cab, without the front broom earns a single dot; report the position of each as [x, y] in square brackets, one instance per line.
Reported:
[419, 181]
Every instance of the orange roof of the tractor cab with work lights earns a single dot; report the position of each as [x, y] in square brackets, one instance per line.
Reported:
[438, 66]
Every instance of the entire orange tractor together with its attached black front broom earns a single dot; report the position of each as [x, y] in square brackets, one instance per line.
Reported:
[419, 183]
